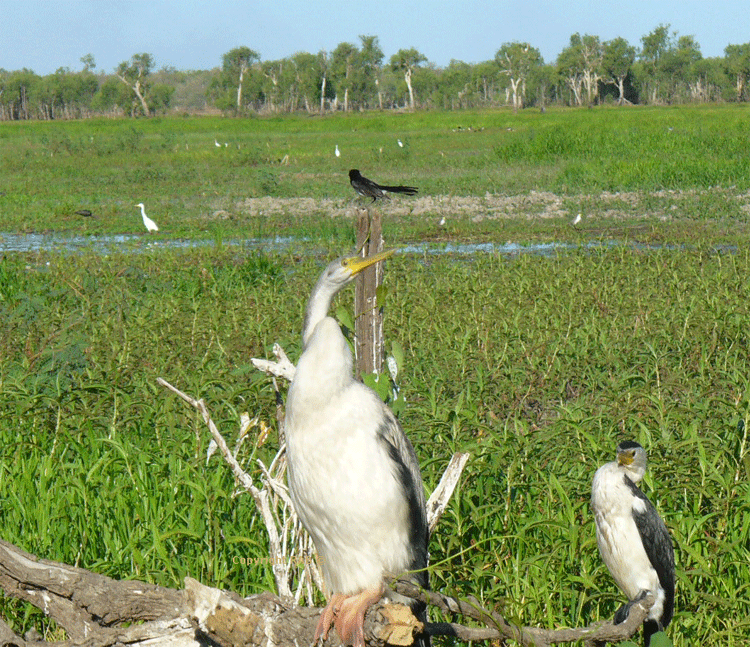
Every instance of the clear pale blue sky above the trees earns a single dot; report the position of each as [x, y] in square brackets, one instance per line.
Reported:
[44, 35]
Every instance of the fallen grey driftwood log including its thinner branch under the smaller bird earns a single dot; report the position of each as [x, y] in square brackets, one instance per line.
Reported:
[94, 609]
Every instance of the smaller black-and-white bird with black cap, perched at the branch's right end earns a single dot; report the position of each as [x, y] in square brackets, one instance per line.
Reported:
[632, 538]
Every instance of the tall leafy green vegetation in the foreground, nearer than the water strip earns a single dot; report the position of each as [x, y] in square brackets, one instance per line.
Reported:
[537, 366]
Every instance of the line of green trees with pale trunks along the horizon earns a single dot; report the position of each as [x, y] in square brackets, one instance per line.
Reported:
[666, 69]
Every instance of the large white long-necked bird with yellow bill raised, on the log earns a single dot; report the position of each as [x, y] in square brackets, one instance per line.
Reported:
[353, 474]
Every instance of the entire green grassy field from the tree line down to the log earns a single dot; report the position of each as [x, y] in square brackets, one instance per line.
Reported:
[537, 365]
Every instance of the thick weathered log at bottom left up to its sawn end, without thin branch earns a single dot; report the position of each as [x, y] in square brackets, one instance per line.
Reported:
[93, 609]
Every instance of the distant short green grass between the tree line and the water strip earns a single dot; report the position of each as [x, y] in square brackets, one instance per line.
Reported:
[195, 190]
